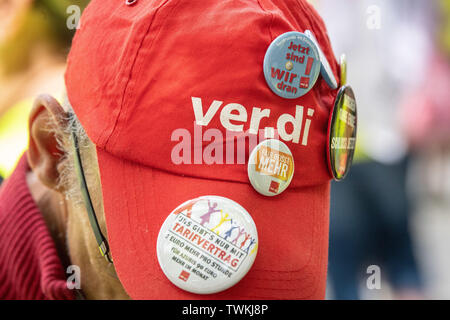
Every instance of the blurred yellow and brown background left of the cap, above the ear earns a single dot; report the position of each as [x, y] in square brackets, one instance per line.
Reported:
[35, 38]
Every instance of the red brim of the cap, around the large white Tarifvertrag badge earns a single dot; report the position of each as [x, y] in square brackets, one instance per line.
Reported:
[292, 229]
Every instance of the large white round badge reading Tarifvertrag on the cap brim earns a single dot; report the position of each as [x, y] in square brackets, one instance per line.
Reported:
[207, 245]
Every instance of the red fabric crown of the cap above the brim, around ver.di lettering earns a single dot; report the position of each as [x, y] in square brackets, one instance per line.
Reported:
[132, 72]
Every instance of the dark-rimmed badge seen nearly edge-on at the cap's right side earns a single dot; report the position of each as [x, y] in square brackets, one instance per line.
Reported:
[342, 133]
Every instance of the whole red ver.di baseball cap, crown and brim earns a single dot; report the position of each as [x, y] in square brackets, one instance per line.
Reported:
[139, 76]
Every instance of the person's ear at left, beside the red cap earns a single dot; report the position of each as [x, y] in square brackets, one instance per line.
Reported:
[47, 117]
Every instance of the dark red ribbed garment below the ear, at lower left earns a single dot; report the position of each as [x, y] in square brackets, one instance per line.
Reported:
[29, 264]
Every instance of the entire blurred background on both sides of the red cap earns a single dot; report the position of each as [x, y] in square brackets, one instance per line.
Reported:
[390, 218]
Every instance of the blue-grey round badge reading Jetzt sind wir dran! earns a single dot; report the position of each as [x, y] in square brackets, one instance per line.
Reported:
[291, 65]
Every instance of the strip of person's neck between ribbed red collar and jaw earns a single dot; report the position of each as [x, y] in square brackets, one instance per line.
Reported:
[53, 208]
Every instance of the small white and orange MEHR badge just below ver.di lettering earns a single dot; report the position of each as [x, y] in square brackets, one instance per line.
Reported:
[270, 167]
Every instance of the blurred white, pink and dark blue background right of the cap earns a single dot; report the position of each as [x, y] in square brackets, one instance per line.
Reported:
[393, 210]
